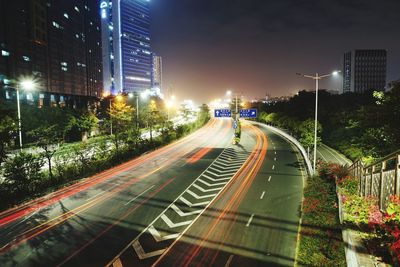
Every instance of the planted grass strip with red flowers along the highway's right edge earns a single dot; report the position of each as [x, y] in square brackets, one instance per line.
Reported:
[320, 240]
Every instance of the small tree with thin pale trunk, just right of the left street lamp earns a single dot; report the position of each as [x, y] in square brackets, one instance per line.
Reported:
[48, 138]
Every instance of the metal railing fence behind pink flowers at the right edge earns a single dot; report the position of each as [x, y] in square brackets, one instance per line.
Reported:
[380, 179]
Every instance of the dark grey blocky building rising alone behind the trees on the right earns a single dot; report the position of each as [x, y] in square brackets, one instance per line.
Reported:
[364, 70]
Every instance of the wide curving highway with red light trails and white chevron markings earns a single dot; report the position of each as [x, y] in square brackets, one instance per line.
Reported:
[198, 202]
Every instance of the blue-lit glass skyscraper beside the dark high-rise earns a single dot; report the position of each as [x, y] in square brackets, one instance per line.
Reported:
[127, 58]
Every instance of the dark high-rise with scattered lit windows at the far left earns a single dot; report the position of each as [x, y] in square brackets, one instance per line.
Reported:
[58, 44]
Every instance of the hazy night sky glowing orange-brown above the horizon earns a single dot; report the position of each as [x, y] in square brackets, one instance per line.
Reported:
[256, 46]
